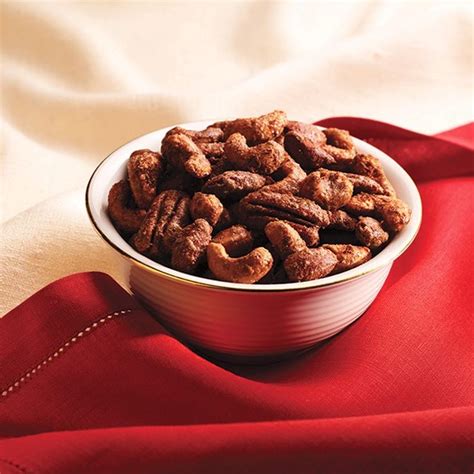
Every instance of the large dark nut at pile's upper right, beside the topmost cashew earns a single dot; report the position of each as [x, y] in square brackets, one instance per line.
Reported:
[304, 143]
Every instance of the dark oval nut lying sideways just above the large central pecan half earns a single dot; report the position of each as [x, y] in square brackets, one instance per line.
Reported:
[234, 184]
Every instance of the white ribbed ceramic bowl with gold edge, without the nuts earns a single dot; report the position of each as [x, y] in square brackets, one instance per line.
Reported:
[245, 322]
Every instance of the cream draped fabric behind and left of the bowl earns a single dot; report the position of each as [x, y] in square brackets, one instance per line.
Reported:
[80, 79]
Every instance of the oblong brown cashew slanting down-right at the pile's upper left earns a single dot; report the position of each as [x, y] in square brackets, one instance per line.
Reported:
[184, 154]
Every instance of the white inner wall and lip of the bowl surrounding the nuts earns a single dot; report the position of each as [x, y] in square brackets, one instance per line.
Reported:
[113, 169]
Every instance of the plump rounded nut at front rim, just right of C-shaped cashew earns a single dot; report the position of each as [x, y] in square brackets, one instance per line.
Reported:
[309, 264]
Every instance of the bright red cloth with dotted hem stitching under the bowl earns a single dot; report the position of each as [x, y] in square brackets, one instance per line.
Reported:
[392, 393]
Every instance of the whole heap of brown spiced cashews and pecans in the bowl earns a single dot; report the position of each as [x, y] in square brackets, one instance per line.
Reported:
[263, 199]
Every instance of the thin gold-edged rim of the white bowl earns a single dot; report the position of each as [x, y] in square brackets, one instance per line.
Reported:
[381, 260]
